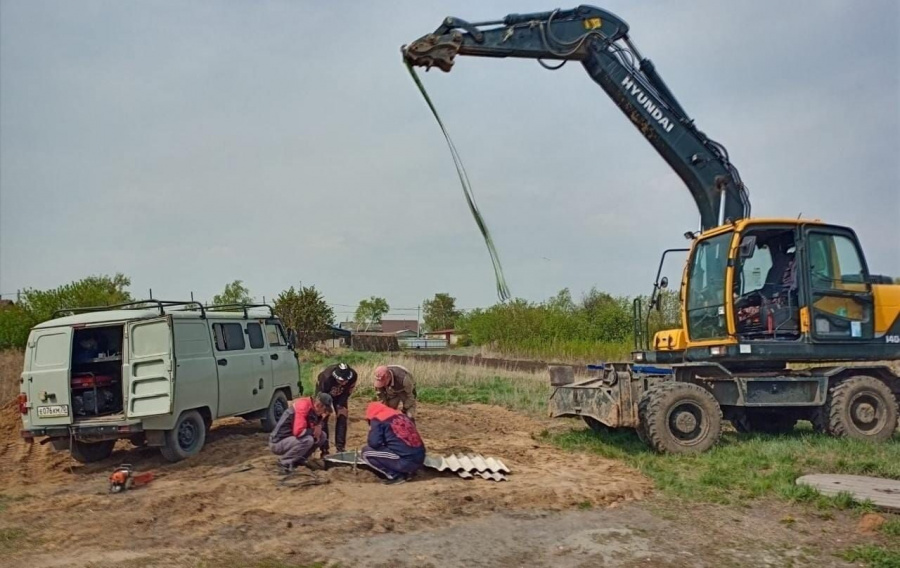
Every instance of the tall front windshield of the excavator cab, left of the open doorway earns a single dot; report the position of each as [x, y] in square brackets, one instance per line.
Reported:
[706, 288]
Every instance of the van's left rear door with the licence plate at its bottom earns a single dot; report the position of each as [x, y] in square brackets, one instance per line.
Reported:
[47, 380]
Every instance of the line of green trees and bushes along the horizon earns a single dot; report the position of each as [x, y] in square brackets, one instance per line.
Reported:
[597, 323]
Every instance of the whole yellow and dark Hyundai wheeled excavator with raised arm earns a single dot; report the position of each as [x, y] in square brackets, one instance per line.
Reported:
[781, 319]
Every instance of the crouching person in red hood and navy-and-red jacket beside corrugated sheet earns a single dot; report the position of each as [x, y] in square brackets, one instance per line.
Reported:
[394, 447]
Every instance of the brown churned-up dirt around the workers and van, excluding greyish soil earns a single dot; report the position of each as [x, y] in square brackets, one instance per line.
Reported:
[231, 498]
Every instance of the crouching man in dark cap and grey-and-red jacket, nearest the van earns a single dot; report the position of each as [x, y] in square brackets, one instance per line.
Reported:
[299, 431]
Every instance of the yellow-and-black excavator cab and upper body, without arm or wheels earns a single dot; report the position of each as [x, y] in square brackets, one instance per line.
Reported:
[777, 290]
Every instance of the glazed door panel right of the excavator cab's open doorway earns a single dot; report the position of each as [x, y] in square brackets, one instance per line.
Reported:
[839, 292]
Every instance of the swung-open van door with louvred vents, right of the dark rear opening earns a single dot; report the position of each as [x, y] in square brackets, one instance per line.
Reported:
[150, 368]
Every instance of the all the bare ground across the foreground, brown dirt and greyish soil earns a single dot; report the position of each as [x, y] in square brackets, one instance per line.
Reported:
[228, 507]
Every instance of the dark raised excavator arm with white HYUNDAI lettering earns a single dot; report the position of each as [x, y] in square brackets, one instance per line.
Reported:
[599, 41]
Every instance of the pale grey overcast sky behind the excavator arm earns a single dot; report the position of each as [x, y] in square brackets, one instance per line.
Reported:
[188, 144]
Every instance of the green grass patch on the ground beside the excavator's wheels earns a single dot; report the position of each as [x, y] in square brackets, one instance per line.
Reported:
[746, 467]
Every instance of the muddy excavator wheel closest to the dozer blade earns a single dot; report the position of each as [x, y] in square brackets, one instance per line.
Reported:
[679, 418]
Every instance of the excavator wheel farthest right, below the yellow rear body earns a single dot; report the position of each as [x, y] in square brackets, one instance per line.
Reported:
[860, 408]
